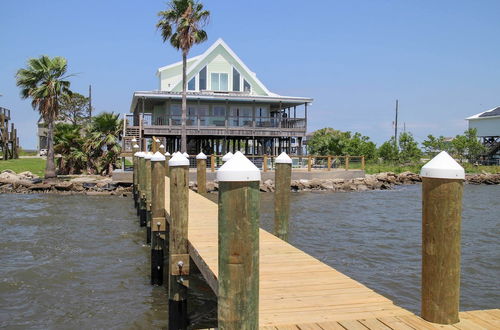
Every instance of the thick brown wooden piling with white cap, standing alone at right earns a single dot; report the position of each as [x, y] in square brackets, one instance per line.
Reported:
[442, 186]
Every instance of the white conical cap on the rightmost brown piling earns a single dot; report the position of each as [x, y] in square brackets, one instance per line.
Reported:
[443, 166]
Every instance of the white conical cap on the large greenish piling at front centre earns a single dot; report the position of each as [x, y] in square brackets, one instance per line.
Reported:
[238, 168]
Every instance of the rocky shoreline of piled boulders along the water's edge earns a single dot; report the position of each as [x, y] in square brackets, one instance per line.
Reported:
[28, 183]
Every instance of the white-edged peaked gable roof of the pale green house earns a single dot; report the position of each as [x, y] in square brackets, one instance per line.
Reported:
[201, 59]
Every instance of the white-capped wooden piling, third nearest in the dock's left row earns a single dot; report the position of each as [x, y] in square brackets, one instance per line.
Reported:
[158, 224]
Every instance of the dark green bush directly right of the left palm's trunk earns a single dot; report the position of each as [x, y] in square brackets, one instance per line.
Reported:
[69, 143]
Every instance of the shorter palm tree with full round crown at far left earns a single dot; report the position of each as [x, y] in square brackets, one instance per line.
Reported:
[43, 80]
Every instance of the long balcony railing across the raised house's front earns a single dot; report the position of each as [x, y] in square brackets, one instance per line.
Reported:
[221, 121]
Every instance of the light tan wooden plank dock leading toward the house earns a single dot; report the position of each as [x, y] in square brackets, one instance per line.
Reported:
[298, 291]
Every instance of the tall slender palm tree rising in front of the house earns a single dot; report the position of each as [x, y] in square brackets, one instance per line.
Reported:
[187, 18]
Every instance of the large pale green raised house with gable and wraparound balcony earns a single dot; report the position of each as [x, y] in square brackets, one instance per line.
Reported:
[229, 109]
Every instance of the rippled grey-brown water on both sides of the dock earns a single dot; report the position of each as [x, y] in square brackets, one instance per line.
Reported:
[74, 261]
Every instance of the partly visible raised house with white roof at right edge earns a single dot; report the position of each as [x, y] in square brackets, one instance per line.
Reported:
[487, 124]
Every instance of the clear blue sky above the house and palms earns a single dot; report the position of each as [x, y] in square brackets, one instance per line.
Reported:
[441, 59]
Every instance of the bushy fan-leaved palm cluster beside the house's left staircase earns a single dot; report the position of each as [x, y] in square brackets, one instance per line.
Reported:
[103, 142]
